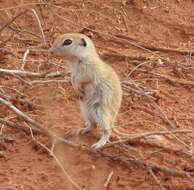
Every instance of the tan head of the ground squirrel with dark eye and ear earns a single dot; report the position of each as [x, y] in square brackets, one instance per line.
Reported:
[75, 45]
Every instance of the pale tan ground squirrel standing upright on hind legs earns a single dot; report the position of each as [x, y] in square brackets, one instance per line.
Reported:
[96, 83]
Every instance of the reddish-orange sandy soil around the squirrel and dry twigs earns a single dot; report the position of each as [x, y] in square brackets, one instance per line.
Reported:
[152, 24]
